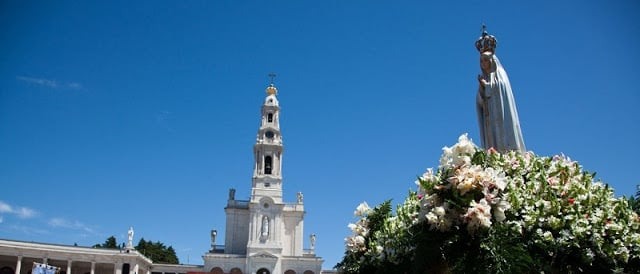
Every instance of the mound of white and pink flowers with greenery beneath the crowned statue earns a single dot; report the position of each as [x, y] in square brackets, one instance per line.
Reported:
[488, 212]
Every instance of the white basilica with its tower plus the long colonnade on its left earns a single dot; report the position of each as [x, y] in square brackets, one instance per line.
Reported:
[264, 234]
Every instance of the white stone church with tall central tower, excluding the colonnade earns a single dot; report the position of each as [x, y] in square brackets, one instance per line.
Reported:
[264, 235]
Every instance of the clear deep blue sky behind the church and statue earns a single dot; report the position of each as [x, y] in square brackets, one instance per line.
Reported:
[144, 114]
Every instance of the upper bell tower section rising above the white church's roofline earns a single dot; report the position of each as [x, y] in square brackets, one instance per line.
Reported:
[267, 171]
